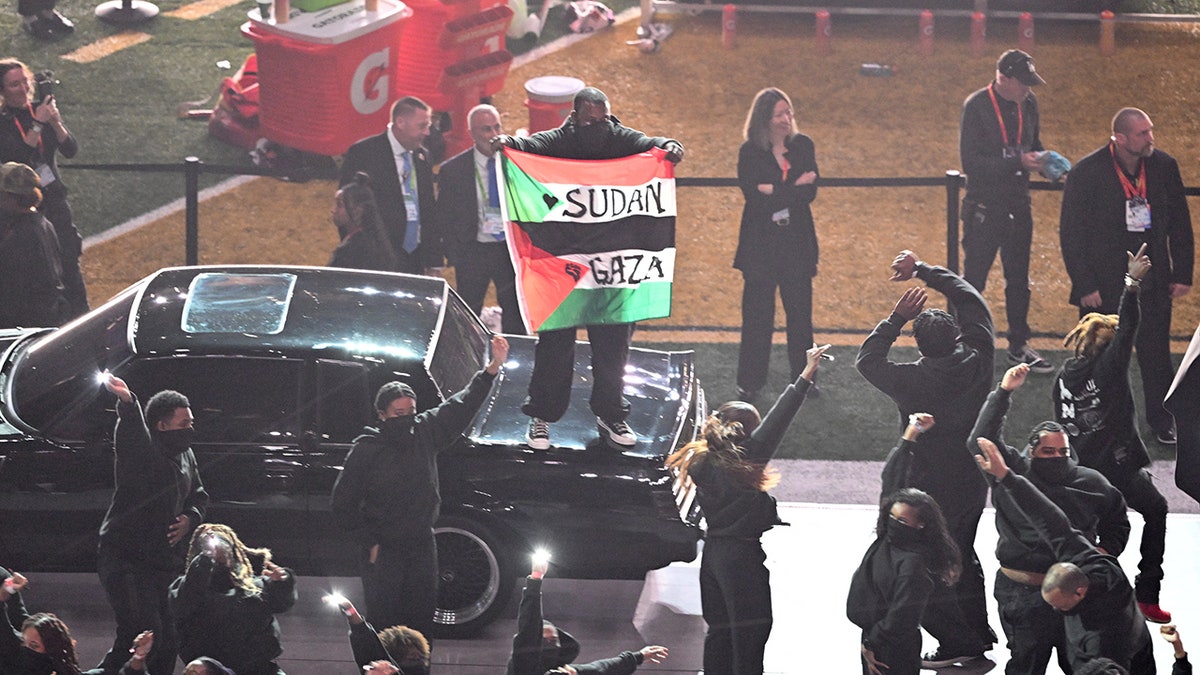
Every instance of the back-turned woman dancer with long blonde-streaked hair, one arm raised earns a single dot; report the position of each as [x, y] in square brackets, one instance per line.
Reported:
[729, 464]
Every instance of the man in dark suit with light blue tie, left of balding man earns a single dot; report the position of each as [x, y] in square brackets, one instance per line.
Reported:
[403, 180]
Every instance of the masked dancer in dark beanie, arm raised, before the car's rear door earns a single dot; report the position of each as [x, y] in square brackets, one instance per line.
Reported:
[387, 497]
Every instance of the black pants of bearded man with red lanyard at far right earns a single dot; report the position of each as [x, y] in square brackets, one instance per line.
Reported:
[1154, 345]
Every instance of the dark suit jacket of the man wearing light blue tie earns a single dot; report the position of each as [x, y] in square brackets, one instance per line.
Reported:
[374, 157]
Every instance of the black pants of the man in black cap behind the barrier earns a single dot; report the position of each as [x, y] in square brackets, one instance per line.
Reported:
[987, 230]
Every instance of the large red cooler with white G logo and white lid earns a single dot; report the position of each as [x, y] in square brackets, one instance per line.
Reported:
[327, 79]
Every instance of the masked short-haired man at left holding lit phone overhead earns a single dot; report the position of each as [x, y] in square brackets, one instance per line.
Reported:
[158, 501]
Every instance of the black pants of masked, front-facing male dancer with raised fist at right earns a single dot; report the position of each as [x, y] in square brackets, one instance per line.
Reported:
[1034, 629]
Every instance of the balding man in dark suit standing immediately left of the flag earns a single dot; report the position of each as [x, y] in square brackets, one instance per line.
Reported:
[469, 222]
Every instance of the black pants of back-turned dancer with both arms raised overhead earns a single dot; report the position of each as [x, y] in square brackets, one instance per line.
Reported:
[957, 617]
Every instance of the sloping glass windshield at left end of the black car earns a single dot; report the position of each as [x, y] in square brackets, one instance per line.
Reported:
[53, 385]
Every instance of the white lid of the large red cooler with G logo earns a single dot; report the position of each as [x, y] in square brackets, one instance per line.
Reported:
[337, 25]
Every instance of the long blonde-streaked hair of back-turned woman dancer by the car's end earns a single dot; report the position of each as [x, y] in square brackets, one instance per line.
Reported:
[718, 444]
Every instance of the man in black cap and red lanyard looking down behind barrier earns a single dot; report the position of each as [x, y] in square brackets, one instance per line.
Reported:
[1000, 147]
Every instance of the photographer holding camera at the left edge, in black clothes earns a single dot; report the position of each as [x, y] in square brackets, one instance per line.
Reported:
[33, 133]
